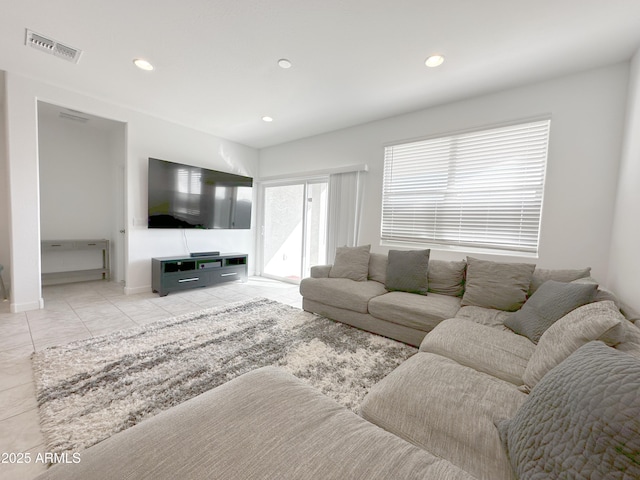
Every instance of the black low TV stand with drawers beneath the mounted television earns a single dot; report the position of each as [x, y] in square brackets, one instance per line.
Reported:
[171, 274]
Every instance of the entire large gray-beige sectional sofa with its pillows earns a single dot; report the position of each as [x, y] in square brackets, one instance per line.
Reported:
[559, 399]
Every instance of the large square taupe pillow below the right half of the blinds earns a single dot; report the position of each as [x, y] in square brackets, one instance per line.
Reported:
[502, 286]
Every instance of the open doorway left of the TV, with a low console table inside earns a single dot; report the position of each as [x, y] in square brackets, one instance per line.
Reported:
[82, 190]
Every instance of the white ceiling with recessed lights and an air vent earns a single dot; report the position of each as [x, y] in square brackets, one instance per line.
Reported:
[354, 61]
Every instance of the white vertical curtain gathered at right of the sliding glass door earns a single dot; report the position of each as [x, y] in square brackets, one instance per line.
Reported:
[345, 208]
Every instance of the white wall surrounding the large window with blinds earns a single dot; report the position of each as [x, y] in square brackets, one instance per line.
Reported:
[587, 113]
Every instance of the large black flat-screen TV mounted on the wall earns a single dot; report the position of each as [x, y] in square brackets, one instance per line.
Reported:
[184, 196]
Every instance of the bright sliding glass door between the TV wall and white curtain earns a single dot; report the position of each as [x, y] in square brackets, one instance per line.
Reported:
[294, 229]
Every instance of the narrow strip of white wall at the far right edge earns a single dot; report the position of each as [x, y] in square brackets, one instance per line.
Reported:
[624, 277]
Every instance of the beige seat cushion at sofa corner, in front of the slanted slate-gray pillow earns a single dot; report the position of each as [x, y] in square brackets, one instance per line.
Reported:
[499, 353]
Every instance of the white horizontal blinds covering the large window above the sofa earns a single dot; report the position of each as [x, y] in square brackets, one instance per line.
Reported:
[479, 189]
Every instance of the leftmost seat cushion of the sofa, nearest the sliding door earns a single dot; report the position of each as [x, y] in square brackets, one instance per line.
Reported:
[341, 292]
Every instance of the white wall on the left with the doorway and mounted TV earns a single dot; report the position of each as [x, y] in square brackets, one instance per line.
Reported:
[146, 137]
